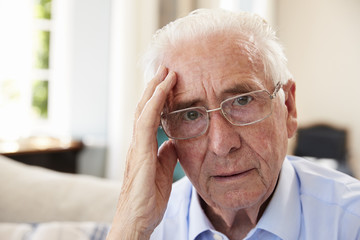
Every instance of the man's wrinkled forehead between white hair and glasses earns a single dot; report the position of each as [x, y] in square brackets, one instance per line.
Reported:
[214, 68]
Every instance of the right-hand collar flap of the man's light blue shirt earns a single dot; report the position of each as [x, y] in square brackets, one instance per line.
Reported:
[282, 216]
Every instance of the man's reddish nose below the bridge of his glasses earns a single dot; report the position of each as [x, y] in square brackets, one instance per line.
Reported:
[222, 135]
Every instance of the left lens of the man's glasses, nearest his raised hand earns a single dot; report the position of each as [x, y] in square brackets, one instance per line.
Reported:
[185, 123]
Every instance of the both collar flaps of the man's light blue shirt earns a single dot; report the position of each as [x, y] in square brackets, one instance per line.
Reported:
[281, 217]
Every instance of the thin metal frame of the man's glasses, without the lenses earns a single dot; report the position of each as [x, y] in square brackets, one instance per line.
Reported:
[272, 96]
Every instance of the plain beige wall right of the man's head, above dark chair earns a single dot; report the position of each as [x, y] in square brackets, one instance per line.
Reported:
[321, 39]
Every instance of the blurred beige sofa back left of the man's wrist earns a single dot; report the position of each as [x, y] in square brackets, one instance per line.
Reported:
[34, 194]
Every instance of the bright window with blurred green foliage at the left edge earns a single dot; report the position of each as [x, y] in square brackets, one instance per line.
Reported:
[25, 29]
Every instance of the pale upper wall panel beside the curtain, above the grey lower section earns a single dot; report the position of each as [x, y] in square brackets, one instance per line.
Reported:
[91, 31]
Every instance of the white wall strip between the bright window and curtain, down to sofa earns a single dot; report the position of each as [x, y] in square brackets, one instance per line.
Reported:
[80, 75]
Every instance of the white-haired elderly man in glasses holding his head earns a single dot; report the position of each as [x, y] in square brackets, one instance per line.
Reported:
[224, 96]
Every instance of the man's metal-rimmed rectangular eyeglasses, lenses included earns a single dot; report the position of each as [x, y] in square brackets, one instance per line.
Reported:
[240, 110]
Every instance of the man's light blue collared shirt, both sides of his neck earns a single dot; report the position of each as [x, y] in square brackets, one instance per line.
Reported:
[310, 202]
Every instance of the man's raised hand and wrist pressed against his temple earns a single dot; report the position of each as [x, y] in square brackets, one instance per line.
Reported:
[148, 175]
